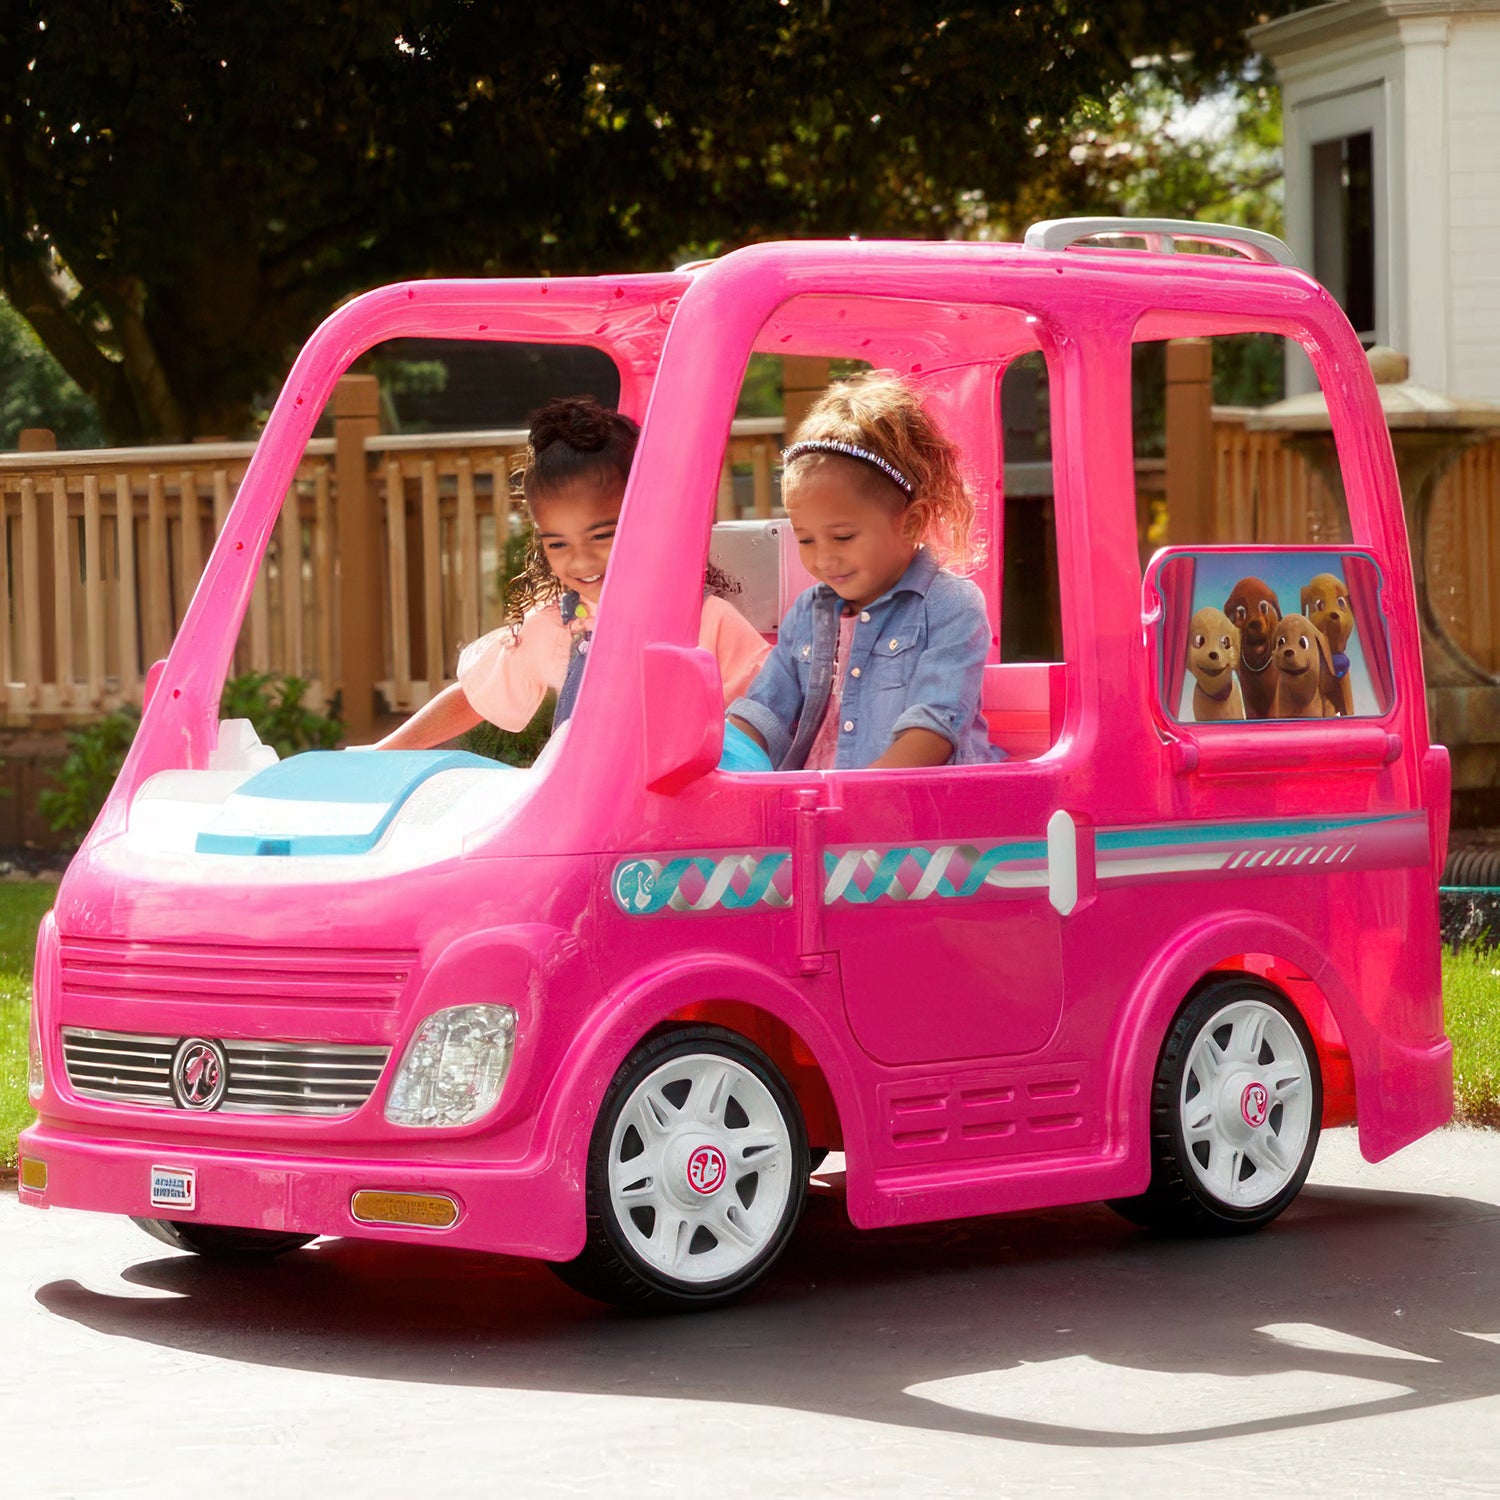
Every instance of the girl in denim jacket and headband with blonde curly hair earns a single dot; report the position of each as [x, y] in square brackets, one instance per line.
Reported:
[881, 662]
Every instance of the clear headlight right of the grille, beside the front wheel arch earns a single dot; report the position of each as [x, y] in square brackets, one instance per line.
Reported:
[455, 1067]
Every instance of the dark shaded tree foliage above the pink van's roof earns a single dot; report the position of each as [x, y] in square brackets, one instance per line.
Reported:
[187, 187]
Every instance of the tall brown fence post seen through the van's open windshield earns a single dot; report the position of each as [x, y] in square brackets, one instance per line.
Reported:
[356, 418]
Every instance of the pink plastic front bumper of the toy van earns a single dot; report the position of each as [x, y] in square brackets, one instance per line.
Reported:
[518, 1208]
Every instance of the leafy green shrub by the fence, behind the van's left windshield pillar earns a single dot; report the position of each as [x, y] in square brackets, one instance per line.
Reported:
[97, 752]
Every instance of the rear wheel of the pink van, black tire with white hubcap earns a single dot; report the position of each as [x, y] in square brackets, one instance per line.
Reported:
[1226, 1159]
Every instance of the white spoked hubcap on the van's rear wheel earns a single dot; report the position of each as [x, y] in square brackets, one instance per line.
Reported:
[1247, 1105]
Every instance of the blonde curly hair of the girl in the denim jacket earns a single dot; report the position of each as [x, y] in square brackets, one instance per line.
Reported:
[883, 413]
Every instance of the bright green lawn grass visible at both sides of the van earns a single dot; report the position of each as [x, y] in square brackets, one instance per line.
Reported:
[1471, 1000]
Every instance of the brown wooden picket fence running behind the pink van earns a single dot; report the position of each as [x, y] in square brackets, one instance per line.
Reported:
[100, 551]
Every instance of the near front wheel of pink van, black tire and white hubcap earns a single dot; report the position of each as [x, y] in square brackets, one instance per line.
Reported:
[713, 1207]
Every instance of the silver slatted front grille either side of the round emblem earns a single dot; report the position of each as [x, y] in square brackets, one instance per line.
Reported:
[266, 1078]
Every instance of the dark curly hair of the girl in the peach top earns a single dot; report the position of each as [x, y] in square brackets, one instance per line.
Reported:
[574, 439]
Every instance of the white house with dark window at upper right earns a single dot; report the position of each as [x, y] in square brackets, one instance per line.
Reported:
[1393, 161]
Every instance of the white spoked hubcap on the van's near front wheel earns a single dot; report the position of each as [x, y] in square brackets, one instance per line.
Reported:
[700, 1168]
